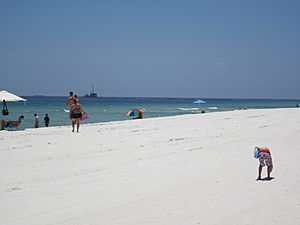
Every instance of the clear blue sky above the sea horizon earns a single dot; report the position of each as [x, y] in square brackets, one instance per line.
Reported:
[151, 48]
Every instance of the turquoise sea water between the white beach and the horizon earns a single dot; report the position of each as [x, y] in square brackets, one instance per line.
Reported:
[114, 109]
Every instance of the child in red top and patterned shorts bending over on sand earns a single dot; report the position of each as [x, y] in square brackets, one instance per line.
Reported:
[265, 159]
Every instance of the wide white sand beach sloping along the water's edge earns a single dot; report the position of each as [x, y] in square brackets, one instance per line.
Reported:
[182, 170]
